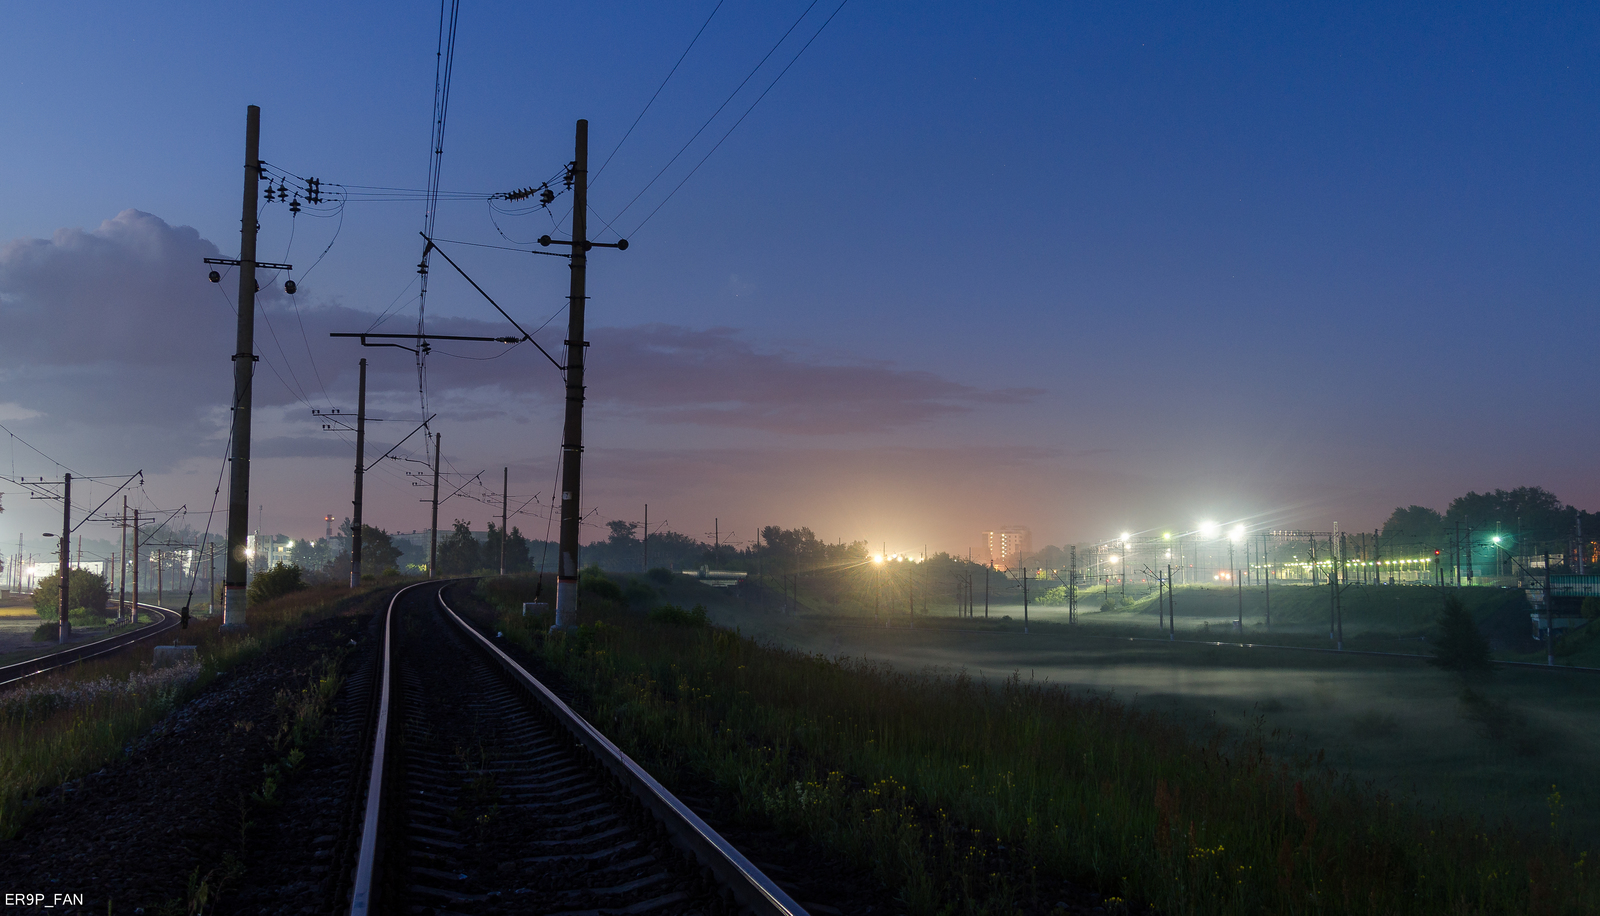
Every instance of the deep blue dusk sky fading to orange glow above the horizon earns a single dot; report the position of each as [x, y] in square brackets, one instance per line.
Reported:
[1087, 268]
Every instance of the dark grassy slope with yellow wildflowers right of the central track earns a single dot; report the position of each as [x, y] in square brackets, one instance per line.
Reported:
[970, 797]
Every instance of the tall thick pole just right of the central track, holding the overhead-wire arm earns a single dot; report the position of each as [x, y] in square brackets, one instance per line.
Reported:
[574, 427]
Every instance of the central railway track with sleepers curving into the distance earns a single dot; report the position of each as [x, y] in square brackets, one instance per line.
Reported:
[486, 793]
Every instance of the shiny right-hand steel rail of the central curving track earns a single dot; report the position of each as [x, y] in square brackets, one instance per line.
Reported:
[748, 885]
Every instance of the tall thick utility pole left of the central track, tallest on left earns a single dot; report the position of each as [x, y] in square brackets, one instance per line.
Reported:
[244, 372]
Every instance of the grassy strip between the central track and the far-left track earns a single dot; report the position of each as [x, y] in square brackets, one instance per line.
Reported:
[79, 720]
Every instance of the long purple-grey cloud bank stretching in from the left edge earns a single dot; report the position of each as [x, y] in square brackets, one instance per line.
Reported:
[118, 332]
